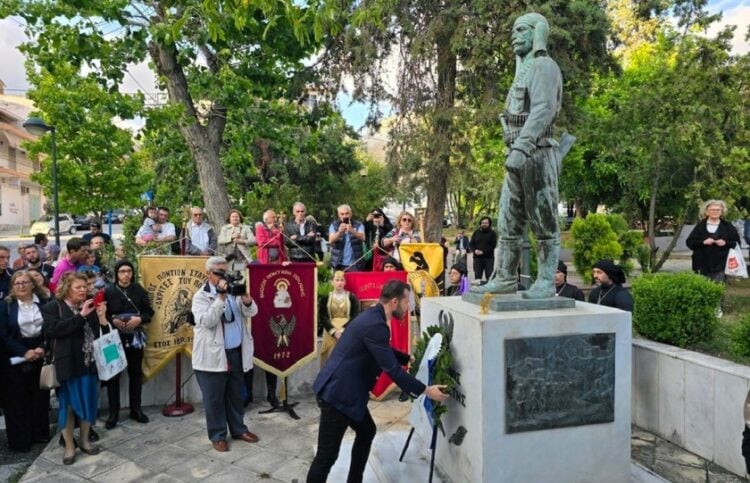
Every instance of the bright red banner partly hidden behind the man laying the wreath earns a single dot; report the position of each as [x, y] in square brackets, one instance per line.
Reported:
[367, 286]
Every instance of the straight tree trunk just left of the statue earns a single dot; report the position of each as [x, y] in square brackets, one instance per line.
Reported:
[439, 167]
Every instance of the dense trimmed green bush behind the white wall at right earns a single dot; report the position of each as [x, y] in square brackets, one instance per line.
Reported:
[677, 309]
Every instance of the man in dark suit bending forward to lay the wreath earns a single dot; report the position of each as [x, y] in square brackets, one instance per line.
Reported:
[343, 385]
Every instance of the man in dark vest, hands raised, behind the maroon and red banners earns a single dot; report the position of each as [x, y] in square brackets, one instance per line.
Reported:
[346, 237]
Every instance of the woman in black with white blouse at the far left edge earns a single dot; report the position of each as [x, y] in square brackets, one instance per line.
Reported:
[27, 406]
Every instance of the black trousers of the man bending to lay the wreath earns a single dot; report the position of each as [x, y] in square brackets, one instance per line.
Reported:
[333, 425]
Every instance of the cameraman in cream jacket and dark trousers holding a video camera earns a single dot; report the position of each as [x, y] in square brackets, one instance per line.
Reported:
[222, 352]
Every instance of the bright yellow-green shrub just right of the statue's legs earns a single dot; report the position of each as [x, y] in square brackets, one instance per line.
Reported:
[593, 239]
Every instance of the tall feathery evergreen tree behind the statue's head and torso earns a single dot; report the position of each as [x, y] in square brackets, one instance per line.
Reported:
[455, 66]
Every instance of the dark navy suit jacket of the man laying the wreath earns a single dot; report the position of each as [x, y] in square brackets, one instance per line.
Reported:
[355, 364]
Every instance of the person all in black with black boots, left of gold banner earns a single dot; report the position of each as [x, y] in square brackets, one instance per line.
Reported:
[128, 308]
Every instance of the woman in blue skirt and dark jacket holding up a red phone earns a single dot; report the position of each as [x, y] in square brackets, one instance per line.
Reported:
[71, 324]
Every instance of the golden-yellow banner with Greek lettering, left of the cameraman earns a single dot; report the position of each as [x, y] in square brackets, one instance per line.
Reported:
[170, 282]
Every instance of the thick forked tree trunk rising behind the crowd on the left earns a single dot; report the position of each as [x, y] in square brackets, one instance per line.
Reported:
[204, 142]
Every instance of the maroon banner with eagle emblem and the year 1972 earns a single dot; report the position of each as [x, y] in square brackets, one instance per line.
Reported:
[284, 329]
